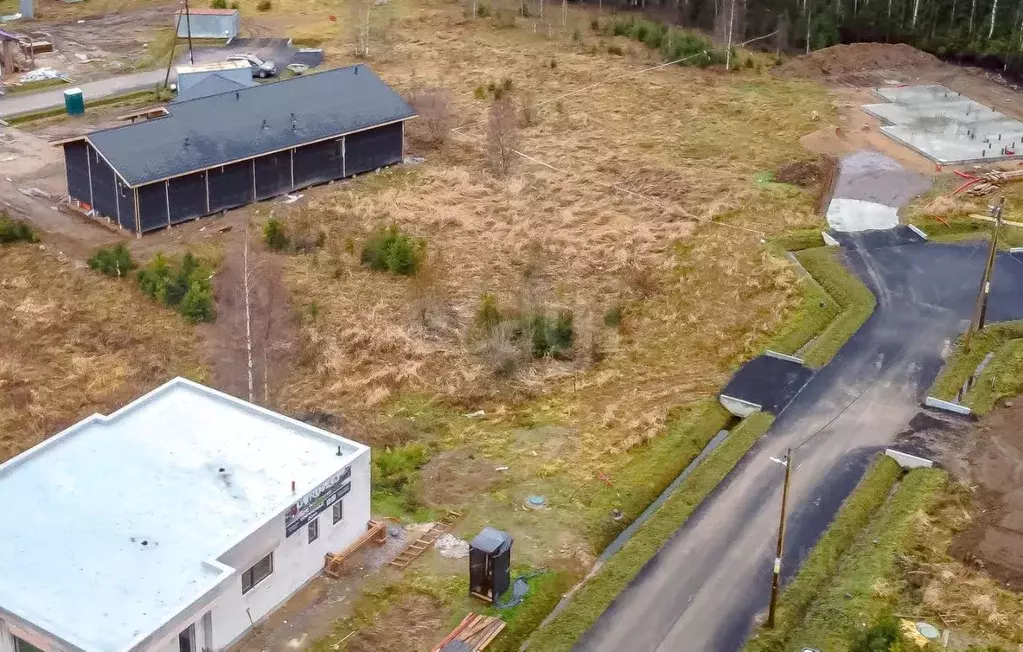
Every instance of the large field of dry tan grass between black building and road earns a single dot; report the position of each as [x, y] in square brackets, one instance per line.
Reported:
[699, 297]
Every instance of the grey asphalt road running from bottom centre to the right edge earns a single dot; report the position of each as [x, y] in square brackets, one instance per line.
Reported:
[704, 589]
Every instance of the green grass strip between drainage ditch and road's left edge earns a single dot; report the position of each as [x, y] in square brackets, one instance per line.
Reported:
[594, 597]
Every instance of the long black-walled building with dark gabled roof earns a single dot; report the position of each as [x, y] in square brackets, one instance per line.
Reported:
[227, 149]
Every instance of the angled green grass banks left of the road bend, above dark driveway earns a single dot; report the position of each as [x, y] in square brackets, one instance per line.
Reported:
[834, 306]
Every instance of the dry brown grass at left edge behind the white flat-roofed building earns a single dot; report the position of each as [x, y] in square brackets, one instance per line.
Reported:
[76, 343]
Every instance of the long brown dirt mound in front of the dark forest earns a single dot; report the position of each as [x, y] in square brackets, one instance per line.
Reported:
[846, 61]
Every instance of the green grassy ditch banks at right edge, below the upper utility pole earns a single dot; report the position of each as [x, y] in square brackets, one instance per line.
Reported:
[1001, 378]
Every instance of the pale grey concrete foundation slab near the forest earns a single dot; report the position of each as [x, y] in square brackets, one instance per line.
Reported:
[946, 126]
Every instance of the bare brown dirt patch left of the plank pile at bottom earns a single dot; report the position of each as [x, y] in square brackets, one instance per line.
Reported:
[411, 624]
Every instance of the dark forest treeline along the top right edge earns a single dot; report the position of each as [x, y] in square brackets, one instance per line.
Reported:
[988, 33]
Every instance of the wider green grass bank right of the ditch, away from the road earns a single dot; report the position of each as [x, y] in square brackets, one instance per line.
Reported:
[864, 588]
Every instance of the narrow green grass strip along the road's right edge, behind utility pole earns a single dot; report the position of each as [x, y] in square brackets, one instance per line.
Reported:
[819, 570]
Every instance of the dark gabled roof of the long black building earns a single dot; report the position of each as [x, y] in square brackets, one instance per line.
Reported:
[238, 125]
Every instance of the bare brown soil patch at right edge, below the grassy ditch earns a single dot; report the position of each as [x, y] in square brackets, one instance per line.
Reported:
[994, 462]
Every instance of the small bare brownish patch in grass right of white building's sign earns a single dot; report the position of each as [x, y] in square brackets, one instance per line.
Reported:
[457, 477]
